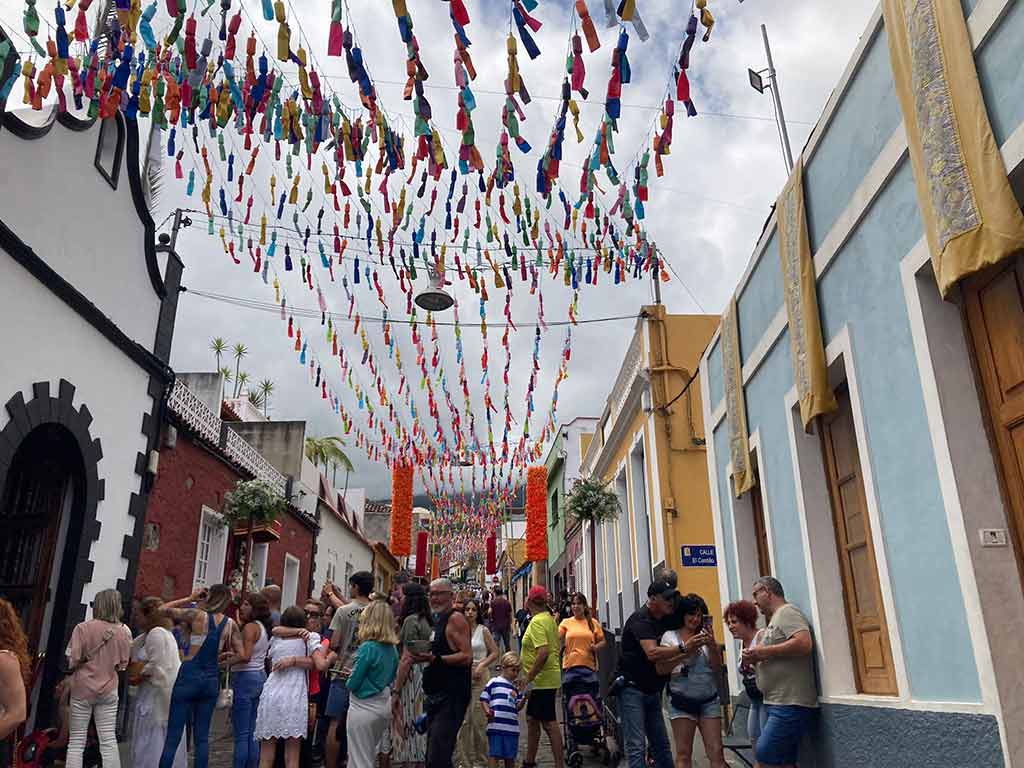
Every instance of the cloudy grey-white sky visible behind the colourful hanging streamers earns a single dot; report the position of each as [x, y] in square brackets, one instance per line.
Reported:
[706, 214]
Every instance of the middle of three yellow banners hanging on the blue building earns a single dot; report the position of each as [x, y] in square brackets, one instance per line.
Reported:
[800, 288]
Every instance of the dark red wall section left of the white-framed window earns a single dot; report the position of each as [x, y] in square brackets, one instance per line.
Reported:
[189, 479]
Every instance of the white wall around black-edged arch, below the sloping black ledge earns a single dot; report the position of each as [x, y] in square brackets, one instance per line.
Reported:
[46, 340]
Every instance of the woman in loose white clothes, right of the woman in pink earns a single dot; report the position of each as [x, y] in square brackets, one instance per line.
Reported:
[154, 669]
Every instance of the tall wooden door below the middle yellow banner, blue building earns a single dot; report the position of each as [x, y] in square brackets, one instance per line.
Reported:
[862, 593]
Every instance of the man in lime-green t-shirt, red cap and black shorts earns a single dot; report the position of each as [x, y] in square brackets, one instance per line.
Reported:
[543, 669]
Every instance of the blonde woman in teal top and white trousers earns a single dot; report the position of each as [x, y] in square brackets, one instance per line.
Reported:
[370, 685]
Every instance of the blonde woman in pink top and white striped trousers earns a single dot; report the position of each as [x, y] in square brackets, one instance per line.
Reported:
[98, 652]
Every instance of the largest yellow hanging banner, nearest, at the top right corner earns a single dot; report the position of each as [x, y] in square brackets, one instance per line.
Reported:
[971, 217]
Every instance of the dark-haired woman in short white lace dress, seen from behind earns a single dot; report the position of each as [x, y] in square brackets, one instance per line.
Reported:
[284, 709]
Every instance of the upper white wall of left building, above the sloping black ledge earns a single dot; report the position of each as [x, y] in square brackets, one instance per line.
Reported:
[57, 202]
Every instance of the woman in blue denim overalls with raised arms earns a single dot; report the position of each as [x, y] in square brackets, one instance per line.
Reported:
[195, 696]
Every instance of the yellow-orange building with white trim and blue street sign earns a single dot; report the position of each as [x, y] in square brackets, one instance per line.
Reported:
[650, 447]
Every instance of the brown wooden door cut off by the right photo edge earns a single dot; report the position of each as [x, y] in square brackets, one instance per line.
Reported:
[995, 312]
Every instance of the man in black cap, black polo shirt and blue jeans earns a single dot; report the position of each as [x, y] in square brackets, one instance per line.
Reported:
[642, 685]
